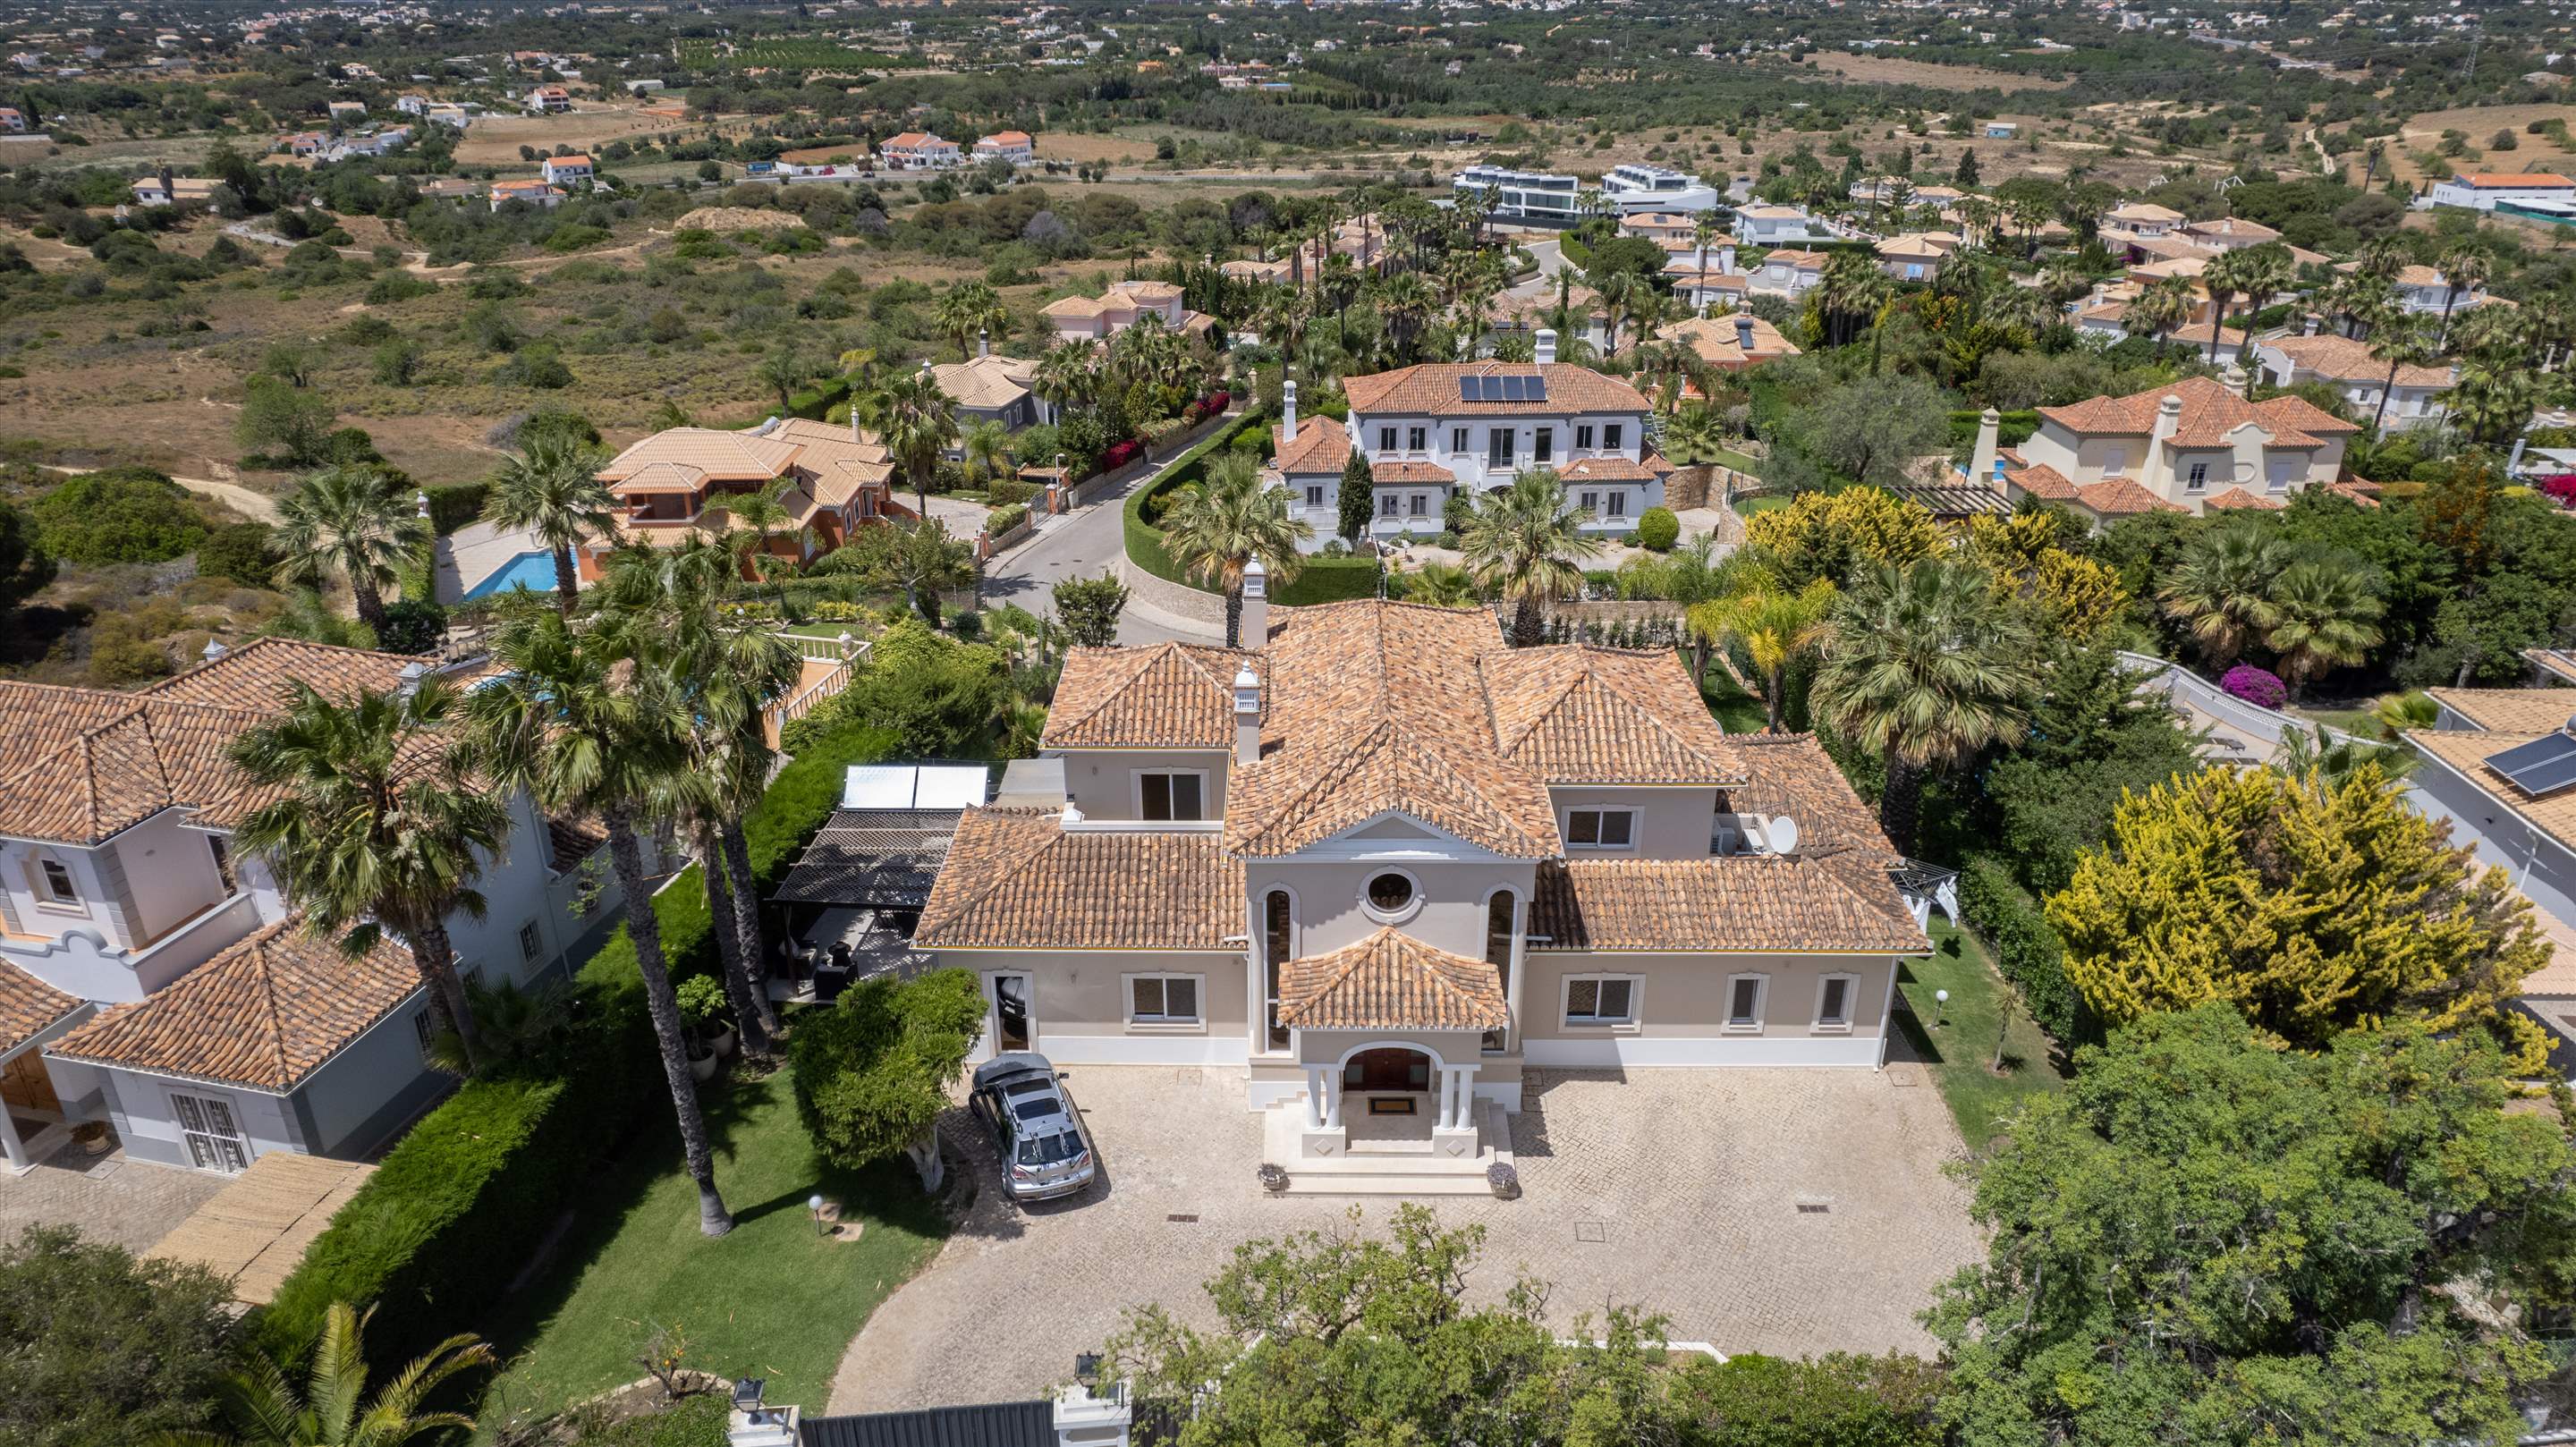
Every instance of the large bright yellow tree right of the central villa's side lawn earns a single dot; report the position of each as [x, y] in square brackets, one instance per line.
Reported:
[2309, 905]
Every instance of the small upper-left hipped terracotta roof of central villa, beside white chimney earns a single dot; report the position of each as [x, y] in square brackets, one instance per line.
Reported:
[1166, 696]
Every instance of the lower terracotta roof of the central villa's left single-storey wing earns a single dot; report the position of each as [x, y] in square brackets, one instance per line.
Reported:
[1021, 882]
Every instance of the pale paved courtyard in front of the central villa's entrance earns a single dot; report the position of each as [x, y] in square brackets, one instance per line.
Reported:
[1676, 1191]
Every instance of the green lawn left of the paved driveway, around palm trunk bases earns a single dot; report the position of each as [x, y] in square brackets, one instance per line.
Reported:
[772, 1299]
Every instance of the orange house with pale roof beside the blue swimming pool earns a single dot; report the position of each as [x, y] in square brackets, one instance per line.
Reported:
[831, 480]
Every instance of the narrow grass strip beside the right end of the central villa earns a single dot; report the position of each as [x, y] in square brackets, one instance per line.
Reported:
[1959, 1036]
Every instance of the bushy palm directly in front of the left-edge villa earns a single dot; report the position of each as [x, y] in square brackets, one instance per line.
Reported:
[375, 825]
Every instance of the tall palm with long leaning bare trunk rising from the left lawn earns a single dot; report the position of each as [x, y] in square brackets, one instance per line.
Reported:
[596, 725]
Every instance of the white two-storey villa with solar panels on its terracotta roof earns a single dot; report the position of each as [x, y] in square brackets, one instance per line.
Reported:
[1441, 431]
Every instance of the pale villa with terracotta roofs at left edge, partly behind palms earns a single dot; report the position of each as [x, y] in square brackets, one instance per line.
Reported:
[153, 975]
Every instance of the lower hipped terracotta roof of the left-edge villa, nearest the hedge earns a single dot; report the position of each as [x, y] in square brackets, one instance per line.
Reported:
[264, 1013]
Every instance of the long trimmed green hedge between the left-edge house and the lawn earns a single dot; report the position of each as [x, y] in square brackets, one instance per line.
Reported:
[444, 1224]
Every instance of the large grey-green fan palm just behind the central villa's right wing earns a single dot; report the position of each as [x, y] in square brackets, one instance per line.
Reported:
[1928, 668]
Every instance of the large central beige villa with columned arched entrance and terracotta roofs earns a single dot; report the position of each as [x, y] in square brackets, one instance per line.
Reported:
[1382, 864]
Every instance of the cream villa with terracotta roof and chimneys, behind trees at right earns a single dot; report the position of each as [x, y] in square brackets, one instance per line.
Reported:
[2173, 449]
